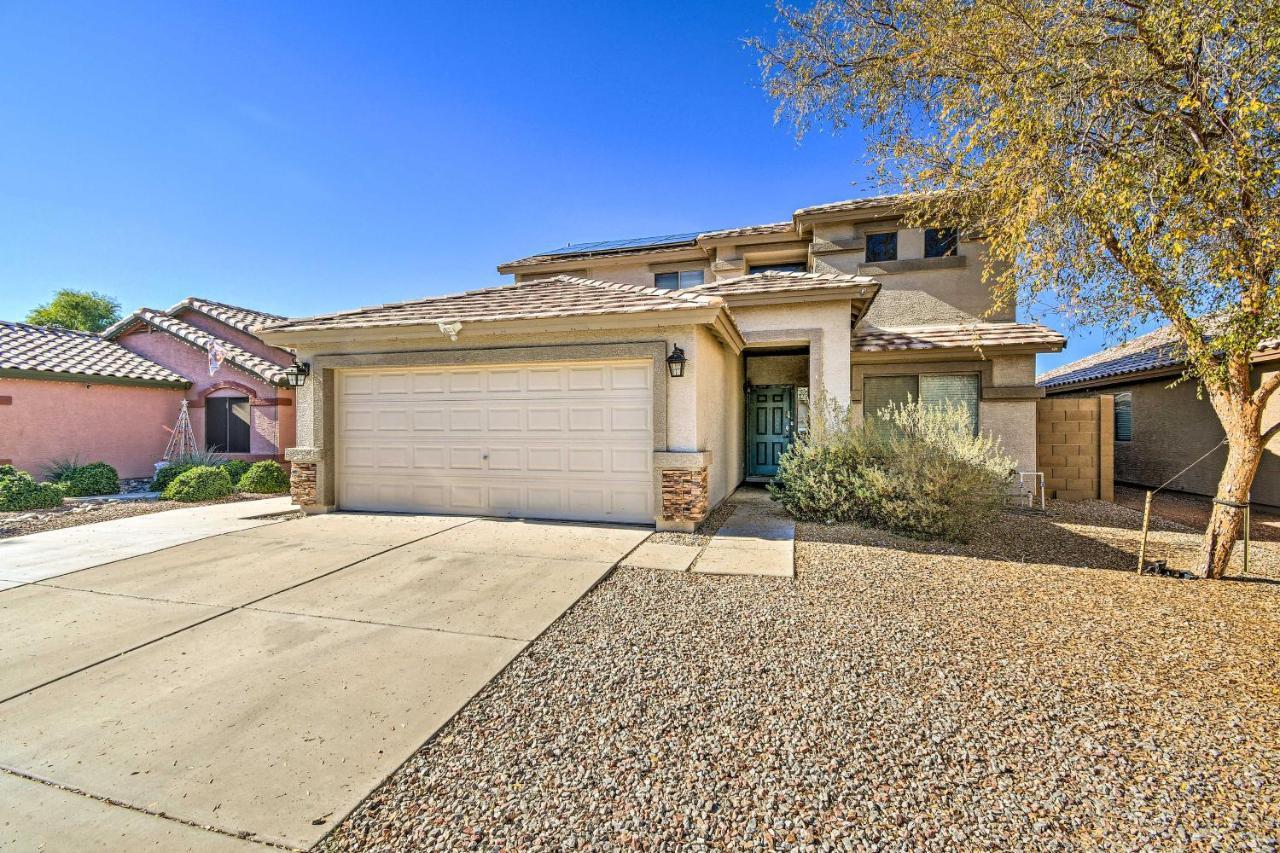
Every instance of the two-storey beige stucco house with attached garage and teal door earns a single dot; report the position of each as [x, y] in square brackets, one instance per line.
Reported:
[643, 381]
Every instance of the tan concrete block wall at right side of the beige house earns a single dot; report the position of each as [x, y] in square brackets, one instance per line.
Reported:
[1075, 440]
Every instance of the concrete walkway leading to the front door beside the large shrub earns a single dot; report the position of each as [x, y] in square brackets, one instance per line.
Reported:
[757, 540]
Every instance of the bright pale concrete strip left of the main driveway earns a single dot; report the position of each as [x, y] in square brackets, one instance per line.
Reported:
[57, 553]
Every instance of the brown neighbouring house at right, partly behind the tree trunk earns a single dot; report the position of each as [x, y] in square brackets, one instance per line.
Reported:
[1162, 428]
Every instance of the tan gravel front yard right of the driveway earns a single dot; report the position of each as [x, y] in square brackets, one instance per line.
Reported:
[895, 696]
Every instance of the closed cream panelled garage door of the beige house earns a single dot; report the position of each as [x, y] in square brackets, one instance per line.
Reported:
[541, 441]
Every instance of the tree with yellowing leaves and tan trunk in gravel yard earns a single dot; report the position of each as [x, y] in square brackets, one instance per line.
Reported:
[1119, 157]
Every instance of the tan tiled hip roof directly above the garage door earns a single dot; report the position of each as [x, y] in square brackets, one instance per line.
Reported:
[547, 298]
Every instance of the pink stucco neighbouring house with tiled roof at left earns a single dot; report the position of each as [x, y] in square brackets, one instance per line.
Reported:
[116, 398]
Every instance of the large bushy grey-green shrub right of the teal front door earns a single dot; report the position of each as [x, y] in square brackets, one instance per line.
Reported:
[920, 472]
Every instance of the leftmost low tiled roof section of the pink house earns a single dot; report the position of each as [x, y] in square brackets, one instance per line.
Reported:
[42, 350]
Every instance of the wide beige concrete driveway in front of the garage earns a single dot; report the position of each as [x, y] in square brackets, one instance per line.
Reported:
[259, 685]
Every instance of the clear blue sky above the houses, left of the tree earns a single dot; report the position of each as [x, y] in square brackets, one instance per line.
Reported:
[304, 158]
